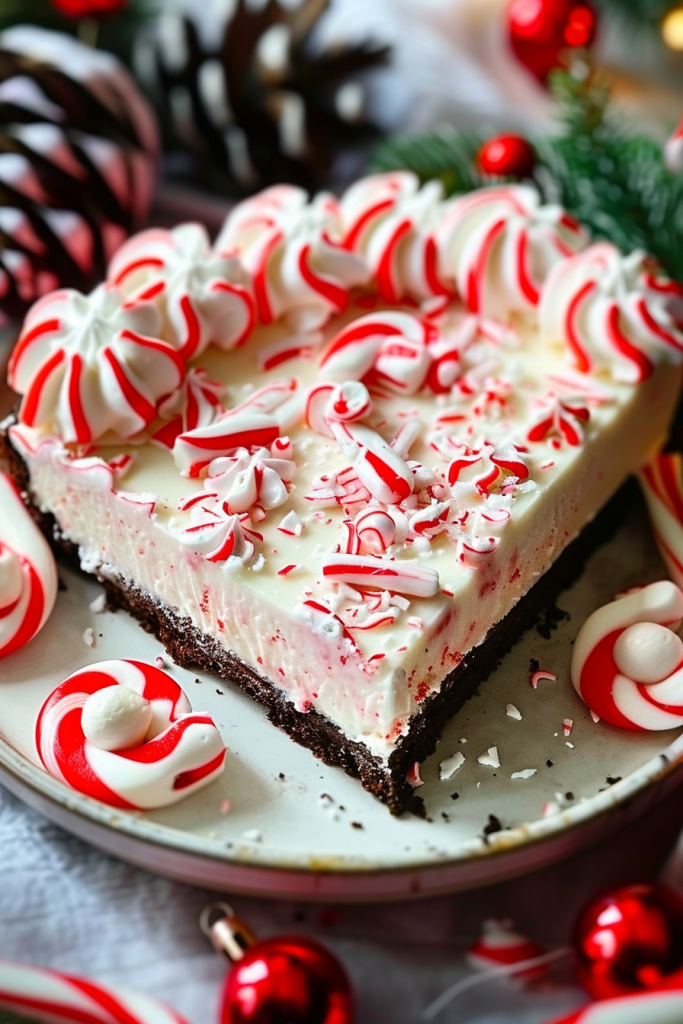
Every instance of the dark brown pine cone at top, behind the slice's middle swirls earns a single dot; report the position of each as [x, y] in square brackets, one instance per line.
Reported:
[257, 103]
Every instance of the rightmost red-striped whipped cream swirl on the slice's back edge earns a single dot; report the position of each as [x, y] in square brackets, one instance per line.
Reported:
[614, 313]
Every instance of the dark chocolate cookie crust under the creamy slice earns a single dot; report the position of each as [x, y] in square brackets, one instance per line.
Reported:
[191, 649]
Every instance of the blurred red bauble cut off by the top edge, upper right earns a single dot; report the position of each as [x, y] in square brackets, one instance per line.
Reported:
[540, 32]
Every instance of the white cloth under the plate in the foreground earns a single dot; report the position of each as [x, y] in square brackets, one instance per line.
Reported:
[68, 907]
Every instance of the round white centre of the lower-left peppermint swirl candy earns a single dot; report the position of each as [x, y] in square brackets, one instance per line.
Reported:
[116, 718]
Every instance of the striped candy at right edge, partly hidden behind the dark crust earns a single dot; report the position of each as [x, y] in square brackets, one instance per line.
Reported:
[662, 481]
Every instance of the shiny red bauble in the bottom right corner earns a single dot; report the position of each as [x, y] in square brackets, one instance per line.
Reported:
[630, 941]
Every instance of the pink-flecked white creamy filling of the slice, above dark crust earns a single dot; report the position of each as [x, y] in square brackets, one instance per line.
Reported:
[369, 681]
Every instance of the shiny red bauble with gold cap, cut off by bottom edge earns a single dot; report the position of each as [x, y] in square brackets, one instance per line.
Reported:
[287, 980]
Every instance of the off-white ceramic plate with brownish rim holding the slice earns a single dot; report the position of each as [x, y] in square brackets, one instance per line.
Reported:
[296, 828]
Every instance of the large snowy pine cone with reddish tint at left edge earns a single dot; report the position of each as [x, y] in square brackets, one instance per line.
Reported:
[78, 156]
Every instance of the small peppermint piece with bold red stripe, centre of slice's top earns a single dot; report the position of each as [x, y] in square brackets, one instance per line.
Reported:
[378, 466]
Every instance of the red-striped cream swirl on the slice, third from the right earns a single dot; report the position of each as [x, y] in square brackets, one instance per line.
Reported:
[392, 221]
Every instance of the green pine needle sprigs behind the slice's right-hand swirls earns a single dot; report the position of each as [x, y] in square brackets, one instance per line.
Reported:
[612, 180]
